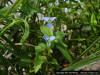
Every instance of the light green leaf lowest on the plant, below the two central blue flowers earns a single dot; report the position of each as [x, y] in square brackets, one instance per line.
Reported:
[39, 60]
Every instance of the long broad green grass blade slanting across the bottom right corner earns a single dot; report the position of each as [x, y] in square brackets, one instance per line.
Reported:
[82, 63]
